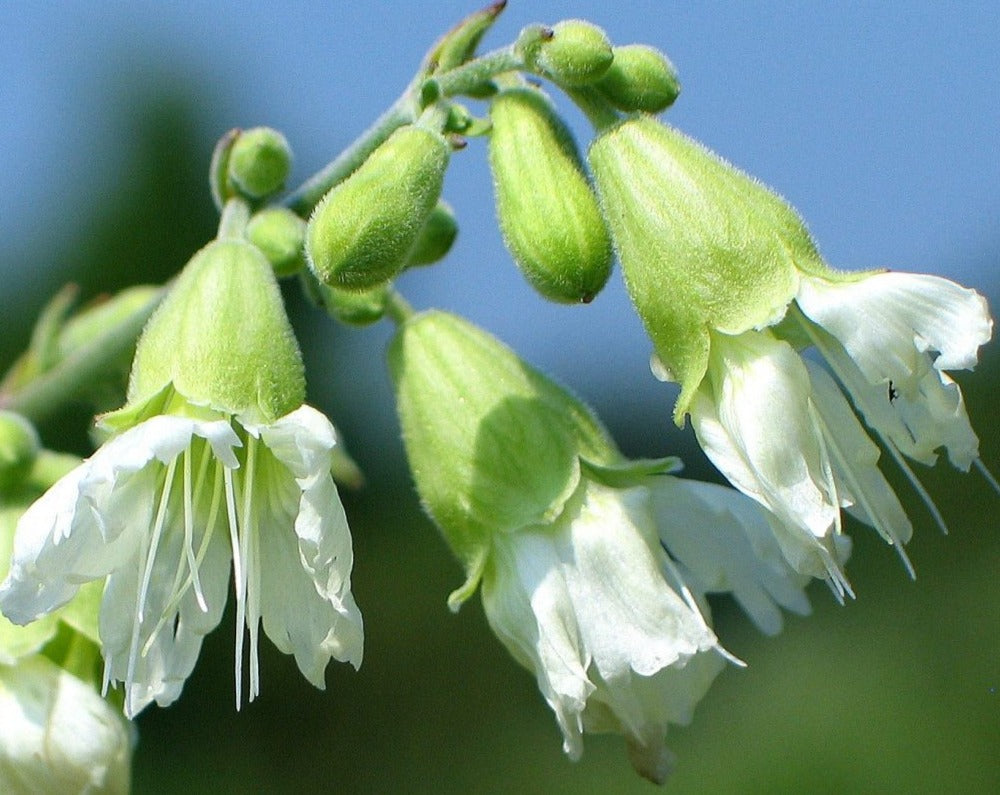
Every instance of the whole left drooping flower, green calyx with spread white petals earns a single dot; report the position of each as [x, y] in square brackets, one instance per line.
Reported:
[214, 462]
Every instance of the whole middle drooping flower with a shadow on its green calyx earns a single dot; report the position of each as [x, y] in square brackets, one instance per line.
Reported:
[591, 566]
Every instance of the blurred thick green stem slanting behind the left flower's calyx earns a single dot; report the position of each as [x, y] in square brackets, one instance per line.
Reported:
[46, 394]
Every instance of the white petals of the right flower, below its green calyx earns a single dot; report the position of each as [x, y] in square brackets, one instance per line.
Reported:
[781, 430]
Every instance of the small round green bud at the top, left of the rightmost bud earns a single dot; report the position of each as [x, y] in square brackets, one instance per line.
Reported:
[573, 52]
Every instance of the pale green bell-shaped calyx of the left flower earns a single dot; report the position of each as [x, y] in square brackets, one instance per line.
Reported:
[220, 339]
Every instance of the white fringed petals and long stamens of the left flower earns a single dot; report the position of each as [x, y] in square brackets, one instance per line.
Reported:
[160, 511]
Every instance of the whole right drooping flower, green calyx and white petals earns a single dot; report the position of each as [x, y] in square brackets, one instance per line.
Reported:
[731, 288]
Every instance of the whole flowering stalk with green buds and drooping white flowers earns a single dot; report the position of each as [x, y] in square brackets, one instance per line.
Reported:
[593, 568]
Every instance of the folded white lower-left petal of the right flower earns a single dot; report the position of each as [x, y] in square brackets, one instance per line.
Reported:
[755, 422]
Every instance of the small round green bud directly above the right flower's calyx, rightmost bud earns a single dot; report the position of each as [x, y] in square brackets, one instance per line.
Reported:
[640, 79]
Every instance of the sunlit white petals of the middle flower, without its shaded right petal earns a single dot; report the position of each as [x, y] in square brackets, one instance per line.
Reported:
[585, 605]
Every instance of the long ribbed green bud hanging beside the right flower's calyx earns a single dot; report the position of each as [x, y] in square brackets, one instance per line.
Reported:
[548, 213]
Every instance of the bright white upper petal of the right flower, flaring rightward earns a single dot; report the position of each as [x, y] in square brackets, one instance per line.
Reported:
[887, 321]
